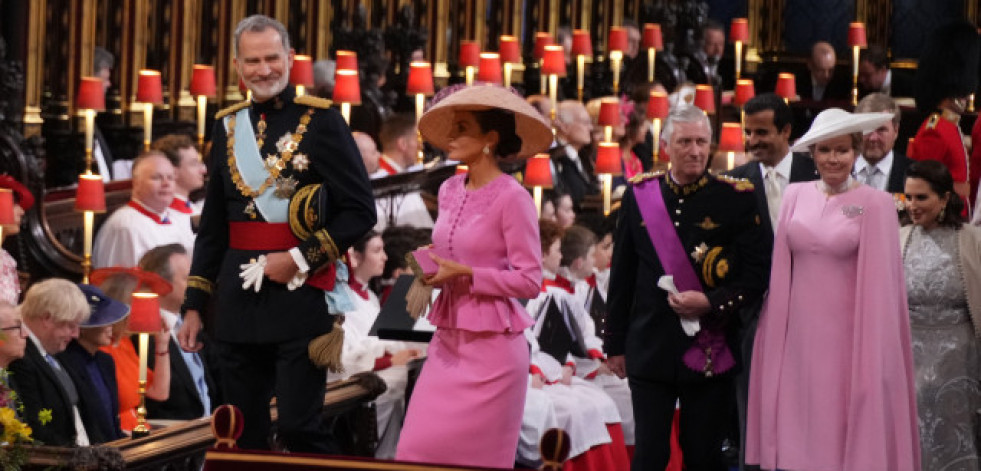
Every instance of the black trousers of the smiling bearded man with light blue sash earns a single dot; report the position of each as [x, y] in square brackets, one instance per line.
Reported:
[252, 373]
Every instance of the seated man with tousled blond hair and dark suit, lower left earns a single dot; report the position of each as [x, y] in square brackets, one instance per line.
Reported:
[52, 310]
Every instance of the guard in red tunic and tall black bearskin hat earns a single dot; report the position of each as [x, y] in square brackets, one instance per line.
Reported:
[946, 75]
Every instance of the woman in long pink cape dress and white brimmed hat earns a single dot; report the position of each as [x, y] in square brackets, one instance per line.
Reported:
[832, 385]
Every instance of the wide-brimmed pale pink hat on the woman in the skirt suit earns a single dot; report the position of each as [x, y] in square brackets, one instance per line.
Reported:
[530, 125]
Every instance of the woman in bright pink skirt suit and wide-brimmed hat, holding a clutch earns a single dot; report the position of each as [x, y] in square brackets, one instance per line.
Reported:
[467, 404]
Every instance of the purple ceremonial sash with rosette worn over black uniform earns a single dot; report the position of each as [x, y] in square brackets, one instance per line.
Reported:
[708, 353]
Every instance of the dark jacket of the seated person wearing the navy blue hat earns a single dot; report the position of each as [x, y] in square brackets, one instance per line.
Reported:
[74, 359]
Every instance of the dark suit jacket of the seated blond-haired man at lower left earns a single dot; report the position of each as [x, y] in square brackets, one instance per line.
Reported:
[38, 388]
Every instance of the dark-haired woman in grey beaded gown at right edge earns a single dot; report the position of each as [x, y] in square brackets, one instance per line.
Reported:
[942, 261]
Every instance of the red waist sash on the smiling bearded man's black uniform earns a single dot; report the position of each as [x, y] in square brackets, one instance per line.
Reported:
[247, 235]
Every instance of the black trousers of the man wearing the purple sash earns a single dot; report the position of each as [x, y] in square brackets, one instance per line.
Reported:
[705, 414]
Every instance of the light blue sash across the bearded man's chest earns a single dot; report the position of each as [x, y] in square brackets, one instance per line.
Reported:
[252, 168]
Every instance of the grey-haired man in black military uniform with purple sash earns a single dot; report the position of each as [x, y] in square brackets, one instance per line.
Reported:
[719, 235]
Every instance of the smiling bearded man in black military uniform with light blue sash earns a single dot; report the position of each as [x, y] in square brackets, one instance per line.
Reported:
[266, 152]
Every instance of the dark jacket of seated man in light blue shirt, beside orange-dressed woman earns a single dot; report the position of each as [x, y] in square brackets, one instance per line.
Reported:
[183, 403]
